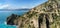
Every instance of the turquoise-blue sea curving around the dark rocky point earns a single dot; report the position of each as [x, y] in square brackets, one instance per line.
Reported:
[5, 14]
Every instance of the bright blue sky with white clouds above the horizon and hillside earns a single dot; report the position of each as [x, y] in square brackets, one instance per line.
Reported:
[18, 4]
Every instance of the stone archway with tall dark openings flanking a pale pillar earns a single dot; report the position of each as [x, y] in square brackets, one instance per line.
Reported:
[43, 21]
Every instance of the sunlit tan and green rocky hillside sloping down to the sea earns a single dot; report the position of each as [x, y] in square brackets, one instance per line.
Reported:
[46, 15]
